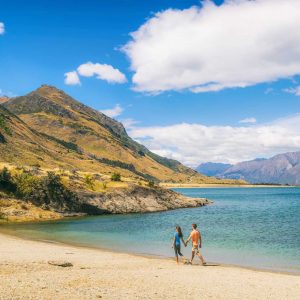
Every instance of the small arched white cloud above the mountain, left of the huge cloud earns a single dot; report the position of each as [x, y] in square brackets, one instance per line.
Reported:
[101, 71]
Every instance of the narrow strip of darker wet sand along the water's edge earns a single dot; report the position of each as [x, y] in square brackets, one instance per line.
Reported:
[144, 255]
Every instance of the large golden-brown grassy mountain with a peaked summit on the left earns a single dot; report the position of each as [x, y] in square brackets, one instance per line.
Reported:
[51, 129]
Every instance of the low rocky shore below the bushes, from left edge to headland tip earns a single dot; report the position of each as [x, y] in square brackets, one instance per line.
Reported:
[135, 199]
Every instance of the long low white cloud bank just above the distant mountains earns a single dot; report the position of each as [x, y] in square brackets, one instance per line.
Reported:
[196, 143]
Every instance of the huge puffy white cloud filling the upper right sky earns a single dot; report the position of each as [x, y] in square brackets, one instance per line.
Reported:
[210, 48]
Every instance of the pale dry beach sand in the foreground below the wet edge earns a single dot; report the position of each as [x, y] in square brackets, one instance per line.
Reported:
[26, 274]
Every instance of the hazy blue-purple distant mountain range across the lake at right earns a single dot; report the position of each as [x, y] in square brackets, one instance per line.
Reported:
[280, 169]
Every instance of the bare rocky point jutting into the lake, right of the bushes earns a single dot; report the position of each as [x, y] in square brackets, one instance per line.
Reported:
[138, 199]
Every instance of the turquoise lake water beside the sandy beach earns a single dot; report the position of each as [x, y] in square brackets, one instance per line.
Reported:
[255, 227]
